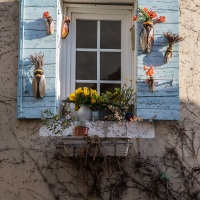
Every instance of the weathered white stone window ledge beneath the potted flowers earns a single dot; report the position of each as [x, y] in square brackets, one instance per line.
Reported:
[110, 129]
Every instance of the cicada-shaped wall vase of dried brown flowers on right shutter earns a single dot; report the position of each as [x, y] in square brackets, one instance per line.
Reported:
[172, 39]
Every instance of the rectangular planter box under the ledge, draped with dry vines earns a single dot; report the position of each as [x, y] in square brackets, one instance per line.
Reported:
[94, 146]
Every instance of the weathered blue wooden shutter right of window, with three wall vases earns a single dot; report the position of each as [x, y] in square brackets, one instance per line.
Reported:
[163, 103]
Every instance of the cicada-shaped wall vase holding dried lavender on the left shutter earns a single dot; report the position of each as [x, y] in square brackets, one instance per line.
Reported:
[39, 81]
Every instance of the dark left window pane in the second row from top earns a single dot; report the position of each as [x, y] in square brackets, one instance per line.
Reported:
[86, 65]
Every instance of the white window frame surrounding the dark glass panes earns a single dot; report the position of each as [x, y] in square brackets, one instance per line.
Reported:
[96, 12]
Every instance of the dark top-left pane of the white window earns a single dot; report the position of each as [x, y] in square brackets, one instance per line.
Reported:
[86, 34]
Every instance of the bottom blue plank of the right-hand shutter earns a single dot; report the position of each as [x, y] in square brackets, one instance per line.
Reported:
[158, 114]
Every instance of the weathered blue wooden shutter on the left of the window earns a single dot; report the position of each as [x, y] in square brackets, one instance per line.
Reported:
[33, 39]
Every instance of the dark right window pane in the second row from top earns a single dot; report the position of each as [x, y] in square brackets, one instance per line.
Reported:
[110, 66]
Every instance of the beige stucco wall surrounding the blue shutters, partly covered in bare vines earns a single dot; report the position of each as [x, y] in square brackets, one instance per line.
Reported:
[28, 168]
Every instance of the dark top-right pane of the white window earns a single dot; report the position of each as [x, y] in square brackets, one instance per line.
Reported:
[110, 35]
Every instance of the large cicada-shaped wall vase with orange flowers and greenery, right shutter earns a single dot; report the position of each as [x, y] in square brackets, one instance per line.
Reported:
[149, 18]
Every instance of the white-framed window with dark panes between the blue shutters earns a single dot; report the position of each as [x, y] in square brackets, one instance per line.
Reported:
[97, 52]
